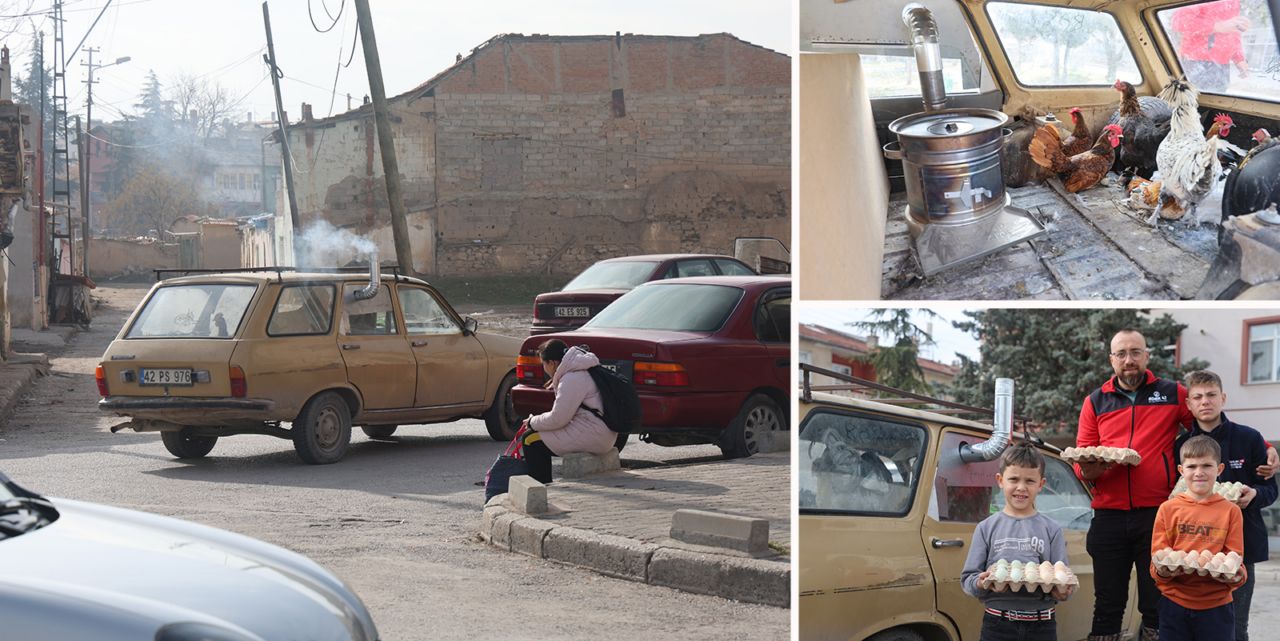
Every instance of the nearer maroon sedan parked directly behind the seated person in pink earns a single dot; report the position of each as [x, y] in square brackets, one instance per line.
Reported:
[708, 356]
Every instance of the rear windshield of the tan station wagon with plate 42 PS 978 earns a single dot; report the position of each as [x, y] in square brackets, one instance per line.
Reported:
[194, 312]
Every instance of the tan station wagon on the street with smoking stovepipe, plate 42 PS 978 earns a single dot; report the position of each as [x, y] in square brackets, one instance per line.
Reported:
[244, 352]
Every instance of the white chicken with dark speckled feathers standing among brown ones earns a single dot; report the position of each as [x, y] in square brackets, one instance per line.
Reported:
[1187, 163]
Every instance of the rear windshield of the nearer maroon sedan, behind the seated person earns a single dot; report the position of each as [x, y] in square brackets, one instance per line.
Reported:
[671, 308]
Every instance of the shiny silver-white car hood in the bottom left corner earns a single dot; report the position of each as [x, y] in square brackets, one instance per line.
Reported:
[135, 573]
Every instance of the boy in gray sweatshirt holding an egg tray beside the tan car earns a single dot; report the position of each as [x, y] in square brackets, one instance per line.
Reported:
[1018, 533]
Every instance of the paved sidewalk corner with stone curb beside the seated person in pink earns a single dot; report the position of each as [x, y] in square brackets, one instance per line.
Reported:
[619, 524]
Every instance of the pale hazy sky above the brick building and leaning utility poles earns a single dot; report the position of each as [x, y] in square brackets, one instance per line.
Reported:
[225, 42]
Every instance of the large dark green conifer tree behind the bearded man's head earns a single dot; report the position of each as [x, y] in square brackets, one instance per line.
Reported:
[1057, 358]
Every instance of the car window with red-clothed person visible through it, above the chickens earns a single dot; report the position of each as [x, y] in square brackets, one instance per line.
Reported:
[1227, 47]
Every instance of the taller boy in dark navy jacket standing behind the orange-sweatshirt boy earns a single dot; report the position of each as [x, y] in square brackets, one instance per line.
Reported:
[1244, 451]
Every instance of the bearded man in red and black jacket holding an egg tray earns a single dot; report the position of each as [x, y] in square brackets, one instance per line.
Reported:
[1140, 411]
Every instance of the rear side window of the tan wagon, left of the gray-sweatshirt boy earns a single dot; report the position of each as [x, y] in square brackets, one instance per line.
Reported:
[858, 464]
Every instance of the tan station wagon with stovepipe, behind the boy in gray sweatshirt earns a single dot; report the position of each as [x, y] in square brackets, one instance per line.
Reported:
[889, 501]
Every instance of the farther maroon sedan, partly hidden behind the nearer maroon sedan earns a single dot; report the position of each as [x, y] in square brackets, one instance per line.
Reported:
[605, 282]
